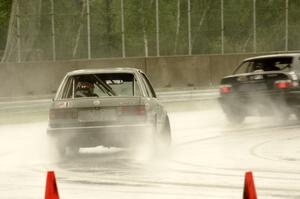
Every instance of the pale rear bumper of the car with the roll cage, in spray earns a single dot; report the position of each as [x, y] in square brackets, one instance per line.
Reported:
[109, 135]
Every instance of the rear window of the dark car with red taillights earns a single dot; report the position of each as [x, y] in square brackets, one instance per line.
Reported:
[266, 64]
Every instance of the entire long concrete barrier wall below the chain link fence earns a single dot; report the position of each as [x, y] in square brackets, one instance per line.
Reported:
[27, 79]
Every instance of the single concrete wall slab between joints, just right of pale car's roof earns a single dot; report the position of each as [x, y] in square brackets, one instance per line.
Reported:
[179, 71]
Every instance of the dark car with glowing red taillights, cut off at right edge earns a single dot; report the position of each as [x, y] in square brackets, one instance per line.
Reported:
[262, 86]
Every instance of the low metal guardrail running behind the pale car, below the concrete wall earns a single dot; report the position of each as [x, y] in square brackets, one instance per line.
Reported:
[165, 97]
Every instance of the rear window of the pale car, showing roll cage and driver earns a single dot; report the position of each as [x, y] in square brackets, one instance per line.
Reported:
[98, 85]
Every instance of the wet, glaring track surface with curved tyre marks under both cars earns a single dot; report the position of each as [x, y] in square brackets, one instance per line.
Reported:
[208, 160]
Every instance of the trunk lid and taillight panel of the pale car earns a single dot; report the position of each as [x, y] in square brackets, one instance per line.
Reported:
[98, 110]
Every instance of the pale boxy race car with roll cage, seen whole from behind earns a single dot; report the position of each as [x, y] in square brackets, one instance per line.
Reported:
[115, 107]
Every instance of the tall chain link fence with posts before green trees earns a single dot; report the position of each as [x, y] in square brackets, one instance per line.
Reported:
[89, 29]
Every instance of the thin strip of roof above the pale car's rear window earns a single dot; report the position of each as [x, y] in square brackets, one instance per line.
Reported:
[103, 70]
